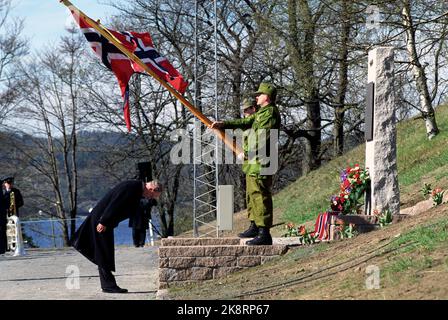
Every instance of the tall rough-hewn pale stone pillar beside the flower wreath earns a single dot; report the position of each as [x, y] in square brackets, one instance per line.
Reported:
[381, 151]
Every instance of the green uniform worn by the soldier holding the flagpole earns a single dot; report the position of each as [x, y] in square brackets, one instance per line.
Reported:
[258, 187]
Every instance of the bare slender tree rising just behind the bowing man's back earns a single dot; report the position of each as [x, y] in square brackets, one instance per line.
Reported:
[52, 93]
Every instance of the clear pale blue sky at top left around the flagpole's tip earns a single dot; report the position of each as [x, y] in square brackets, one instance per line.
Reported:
[45, 20]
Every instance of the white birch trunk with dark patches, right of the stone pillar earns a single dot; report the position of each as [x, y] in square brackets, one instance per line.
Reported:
[420, 76]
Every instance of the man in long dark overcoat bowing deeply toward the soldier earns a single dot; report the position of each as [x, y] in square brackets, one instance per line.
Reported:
[95, 237]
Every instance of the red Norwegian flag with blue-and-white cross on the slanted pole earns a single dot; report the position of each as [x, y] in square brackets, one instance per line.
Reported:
[142, 46]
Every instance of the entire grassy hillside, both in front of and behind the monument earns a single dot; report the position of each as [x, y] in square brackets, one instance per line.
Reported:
[411, 256]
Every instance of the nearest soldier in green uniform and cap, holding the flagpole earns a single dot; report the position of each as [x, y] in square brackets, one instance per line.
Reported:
[258, 185]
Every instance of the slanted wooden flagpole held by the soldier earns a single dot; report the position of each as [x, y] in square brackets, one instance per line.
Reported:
[198, 114]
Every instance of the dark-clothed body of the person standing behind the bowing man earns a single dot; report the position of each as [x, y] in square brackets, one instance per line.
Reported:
[140, 221]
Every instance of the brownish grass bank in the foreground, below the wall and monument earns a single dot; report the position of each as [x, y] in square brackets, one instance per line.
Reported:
[411, 258]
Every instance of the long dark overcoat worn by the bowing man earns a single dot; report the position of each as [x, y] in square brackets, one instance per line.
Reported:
[120, 203]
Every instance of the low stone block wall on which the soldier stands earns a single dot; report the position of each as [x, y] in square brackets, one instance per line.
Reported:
[193, 259]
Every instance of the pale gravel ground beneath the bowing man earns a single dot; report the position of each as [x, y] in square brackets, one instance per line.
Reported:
[51, 275]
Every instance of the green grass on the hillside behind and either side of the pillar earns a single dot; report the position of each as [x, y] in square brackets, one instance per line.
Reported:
[419, 160]
